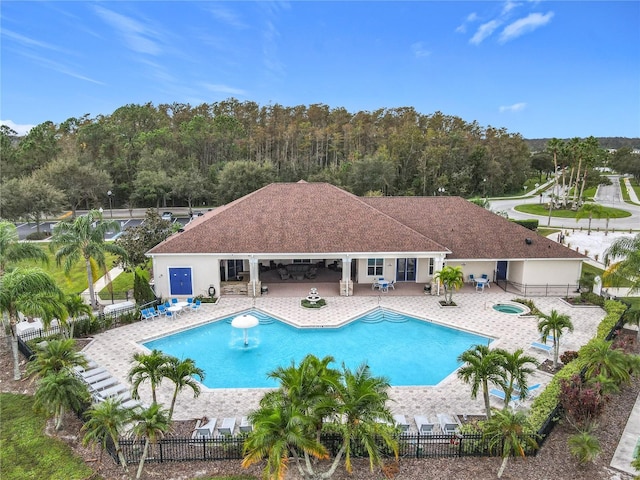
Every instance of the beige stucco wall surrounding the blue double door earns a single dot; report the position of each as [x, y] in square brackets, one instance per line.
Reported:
[205, 271]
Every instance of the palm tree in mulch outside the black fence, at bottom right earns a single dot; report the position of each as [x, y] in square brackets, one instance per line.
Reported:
[510, 432]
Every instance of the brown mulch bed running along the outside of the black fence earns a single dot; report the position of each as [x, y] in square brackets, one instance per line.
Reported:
[552, 462]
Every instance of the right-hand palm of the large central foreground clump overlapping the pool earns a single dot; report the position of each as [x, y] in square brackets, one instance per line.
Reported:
[363, 407]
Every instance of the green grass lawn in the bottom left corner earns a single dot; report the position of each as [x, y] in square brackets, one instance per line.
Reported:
[26, 452]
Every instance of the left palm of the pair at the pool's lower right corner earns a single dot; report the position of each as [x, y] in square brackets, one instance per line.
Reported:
[481, 366]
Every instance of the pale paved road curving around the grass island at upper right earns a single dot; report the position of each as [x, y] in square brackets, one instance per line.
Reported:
[607, 195]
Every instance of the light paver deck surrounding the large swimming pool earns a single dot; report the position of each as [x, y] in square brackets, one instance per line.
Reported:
[114, 349]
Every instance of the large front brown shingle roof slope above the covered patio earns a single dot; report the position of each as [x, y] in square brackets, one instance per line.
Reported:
[297, 218]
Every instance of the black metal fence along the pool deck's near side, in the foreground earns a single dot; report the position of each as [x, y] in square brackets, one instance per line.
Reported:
[410, 445]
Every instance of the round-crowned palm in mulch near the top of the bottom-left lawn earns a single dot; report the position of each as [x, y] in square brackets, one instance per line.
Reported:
[58, 392]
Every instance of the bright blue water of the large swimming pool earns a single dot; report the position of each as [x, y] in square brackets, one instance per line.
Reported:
[406, 350]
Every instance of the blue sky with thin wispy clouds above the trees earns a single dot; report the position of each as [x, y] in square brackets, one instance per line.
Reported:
[538, 68]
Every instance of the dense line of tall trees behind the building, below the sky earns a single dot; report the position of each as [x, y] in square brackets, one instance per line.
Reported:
[178, 154]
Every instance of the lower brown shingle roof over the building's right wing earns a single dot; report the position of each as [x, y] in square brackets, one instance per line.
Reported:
[469, 231]
